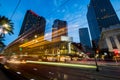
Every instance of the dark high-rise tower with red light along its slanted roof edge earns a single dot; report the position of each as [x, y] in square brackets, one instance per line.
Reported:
[33, 23]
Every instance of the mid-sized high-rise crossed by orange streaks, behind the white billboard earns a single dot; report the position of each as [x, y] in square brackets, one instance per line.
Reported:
[59, 28]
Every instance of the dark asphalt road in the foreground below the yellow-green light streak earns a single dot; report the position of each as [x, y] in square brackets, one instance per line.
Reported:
[50, 72]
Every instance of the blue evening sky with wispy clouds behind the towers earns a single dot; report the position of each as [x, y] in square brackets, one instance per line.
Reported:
[72, 11]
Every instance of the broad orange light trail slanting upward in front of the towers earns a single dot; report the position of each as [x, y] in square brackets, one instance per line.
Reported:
[40, 40]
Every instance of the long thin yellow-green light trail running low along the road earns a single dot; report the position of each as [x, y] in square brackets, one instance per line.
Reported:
[62, 64]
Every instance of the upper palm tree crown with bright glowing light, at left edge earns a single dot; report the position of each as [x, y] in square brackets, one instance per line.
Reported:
[6, 26]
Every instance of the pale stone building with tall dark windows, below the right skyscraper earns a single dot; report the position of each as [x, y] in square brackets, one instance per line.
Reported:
[110, 39]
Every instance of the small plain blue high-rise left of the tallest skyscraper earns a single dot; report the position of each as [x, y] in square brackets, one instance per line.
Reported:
[84, 37]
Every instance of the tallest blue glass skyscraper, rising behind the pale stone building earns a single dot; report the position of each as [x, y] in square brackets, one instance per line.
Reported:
[100, 15]
